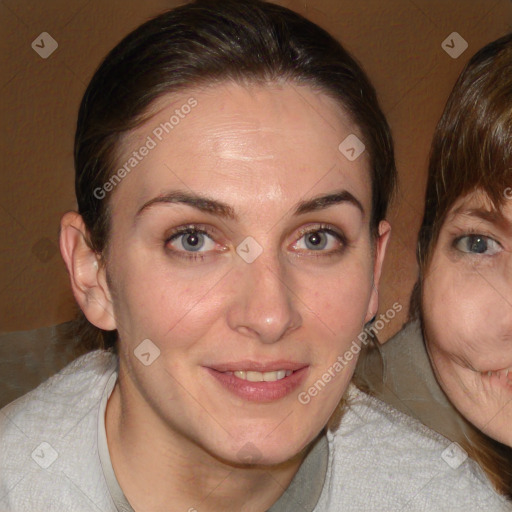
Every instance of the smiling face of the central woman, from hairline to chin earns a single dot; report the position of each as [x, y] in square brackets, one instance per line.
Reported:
[241, 249]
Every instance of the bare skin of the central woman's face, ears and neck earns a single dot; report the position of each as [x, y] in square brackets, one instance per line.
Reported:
[175, 434]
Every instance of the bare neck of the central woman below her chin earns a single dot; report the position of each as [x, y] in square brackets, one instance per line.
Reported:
[165, 467]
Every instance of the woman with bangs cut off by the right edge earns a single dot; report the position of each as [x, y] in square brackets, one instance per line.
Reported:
[462, 298]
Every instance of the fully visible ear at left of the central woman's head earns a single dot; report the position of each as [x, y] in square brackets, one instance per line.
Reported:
[86, 271]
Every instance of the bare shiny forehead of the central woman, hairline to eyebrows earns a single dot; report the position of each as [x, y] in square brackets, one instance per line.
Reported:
[259, 142]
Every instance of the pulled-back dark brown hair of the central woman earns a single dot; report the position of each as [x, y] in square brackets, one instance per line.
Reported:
[203, 43]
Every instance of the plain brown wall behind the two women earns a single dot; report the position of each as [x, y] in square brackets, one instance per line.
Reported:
[397, 41]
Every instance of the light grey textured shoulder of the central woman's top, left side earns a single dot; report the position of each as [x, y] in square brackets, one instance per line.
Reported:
[48, 439]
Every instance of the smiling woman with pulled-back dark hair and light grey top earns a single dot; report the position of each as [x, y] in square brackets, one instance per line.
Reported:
[233, 170]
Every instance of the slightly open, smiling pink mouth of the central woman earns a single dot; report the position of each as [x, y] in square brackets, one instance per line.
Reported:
[258, 382]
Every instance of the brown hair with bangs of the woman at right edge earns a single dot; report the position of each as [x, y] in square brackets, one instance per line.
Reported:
[472, 151]
